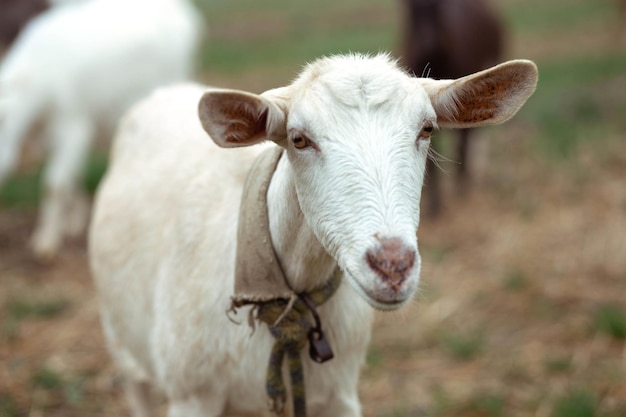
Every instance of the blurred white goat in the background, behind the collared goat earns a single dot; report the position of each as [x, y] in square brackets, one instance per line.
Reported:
[79, 66]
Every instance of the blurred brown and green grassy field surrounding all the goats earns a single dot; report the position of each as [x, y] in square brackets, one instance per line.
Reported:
[522, 309]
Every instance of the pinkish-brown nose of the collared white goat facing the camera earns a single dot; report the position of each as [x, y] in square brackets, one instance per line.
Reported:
[391, 260]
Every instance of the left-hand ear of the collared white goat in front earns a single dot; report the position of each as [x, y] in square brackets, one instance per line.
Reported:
[236, 118]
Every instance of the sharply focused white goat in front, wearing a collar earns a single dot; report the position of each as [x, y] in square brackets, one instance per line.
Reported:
[355, 131]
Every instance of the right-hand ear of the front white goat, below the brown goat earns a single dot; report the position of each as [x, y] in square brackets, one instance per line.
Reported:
[485, 98]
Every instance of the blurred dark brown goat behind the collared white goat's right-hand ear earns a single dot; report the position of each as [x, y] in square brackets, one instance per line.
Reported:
[448, 39]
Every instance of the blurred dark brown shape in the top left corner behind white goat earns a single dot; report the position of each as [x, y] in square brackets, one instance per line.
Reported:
[14, 14]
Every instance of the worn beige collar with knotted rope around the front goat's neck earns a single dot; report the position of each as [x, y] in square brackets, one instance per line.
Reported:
[260, 281]
